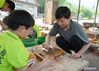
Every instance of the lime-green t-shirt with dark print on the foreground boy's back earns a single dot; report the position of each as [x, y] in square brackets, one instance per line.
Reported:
[13, 54]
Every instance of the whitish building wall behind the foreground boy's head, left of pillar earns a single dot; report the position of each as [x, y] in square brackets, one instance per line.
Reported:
[31, 8]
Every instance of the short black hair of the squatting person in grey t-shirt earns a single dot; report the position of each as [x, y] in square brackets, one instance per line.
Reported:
[63, 11]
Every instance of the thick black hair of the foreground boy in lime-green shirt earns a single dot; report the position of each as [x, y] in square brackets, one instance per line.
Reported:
[20, 18]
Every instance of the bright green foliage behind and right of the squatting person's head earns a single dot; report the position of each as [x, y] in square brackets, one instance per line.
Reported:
[85, 13]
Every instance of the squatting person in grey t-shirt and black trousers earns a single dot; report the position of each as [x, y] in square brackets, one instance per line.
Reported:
[71, 37]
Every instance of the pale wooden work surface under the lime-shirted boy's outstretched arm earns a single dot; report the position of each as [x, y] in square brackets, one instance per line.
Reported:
[64, 63]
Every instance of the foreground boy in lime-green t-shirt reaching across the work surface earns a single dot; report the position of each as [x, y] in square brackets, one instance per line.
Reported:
[13, 54]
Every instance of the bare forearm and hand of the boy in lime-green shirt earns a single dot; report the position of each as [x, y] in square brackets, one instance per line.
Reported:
[37, 66]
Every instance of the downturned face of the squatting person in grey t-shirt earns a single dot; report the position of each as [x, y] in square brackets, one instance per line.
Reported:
[63, 22]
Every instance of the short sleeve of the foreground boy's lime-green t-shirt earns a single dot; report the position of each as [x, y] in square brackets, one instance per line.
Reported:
[17, 55]
